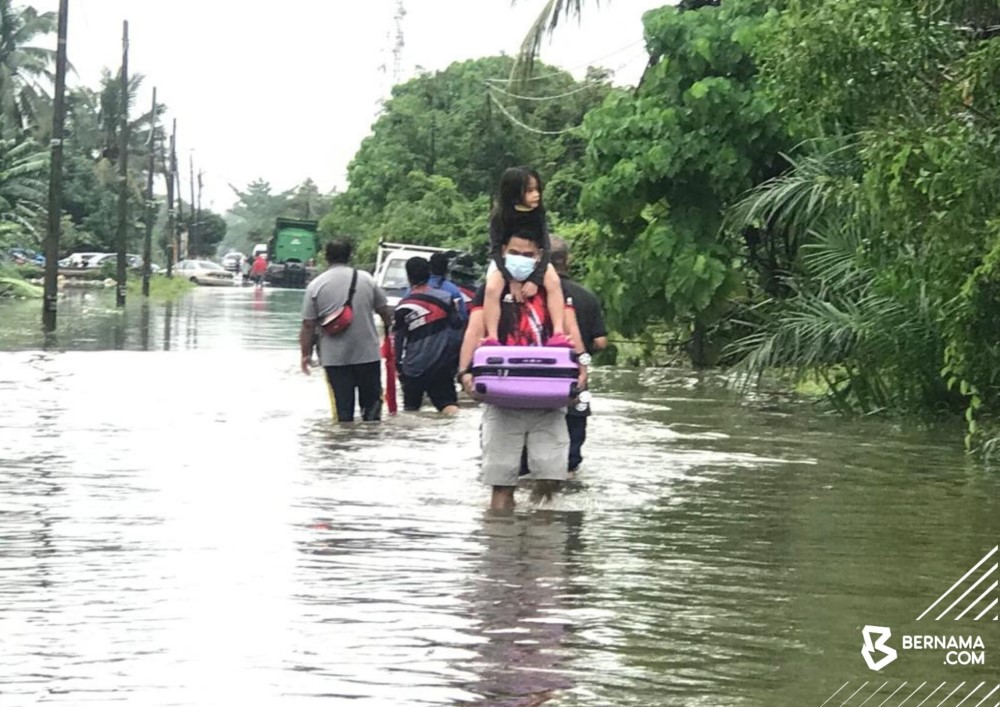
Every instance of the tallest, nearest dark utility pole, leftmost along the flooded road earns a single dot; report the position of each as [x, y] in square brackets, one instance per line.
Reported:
[49, 305]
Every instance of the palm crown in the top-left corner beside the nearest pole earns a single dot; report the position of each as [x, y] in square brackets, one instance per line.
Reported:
[25, 70]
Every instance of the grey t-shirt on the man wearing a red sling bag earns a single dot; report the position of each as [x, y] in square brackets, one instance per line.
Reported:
[360, 343]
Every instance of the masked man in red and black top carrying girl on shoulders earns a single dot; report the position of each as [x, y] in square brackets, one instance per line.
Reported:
[506, 431]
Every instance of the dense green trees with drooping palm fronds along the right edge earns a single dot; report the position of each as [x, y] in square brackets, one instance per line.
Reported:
[893, 201]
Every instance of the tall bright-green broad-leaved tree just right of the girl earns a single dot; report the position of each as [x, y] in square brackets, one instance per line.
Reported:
[664, 163]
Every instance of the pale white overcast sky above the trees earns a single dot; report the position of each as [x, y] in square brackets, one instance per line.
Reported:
[285, 91]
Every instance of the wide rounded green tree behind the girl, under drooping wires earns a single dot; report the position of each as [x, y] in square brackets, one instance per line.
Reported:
[435, 154]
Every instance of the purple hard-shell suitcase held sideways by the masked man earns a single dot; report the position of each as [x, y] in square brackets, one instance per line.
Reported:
[538, 377]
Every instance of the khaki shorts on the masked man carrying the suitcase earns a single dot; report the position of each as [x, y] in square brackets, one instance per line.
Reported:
[506, 431]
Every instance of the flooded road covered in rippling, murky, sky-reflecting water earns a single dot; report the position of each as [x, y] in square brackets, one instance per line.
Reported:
[181, 524]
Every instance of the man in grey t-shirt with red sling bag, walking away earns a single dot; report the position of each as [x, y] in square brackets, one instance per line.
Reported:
[351, 356]
